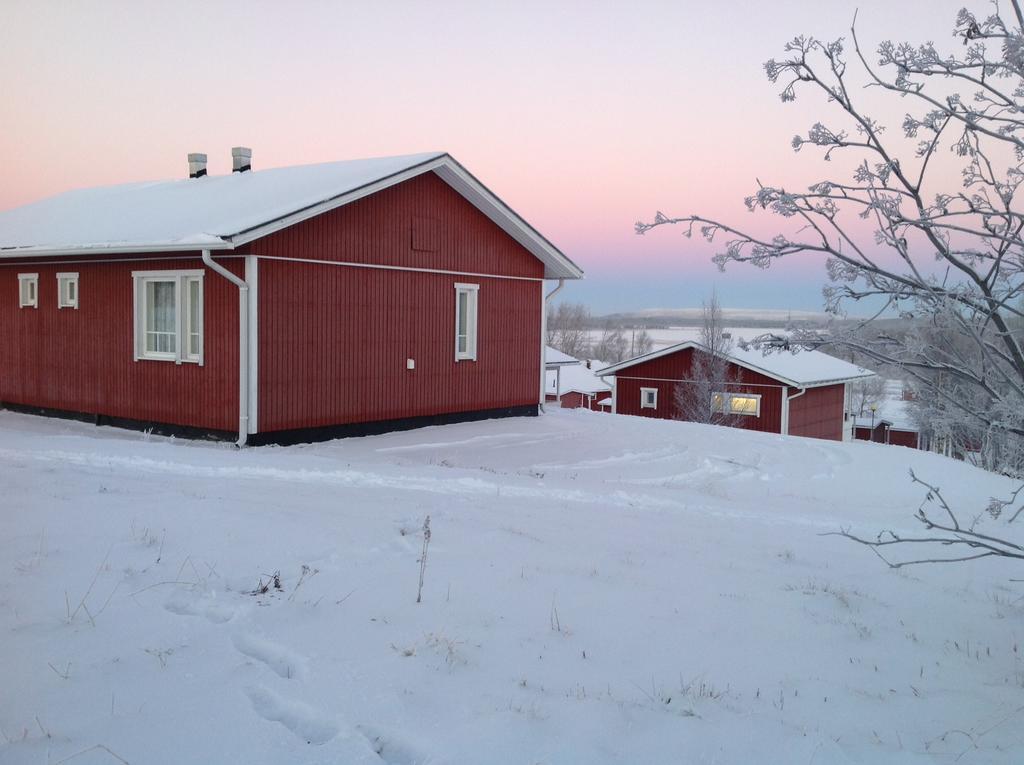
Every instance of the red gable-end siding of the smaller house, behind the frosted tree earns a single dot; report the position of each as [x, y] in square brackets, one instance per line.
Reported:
[667, 372]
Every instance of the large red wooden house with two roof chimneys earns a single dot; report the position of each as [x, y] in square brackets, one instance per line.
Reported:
[279, 306]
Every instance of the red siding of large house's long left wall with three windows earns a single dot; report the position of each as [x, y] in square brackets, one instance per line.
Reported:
[83, 361]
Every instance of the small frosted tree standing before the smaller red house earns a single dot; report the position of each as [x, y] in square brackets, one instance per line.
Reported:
[710, 372]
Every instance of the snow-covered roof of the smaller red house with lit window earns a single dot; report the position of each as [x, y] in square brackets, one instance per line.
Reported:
[804, 369]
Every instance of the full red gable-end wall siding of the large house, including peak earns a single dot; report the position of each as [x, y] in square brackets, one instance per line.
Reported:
[334, 341]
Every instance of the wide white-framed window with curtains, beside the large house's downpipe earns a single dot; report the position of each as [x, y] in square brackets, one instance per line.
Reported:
[169, 316]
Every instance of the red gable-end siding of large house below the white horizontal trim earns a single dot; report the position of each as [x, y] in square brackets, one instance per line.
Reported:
[334, 345]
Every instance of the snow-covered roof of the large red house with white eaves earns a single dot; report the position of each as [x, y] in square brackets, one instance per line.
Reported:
[223, 212]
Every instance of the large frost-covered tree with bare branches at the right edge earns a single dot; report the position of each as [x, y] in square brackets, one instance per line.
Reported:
[892, 228]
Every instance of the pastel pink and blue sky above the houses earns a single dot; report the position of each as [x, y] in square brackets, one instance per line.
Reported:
[585, 117]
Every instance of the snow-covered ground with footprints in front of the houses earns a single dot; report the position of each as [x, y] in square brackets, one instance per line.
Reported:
[599, 589]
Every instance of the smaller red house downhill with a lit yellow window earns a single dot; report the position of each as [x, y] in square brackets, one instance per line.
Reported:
[801, 394]
